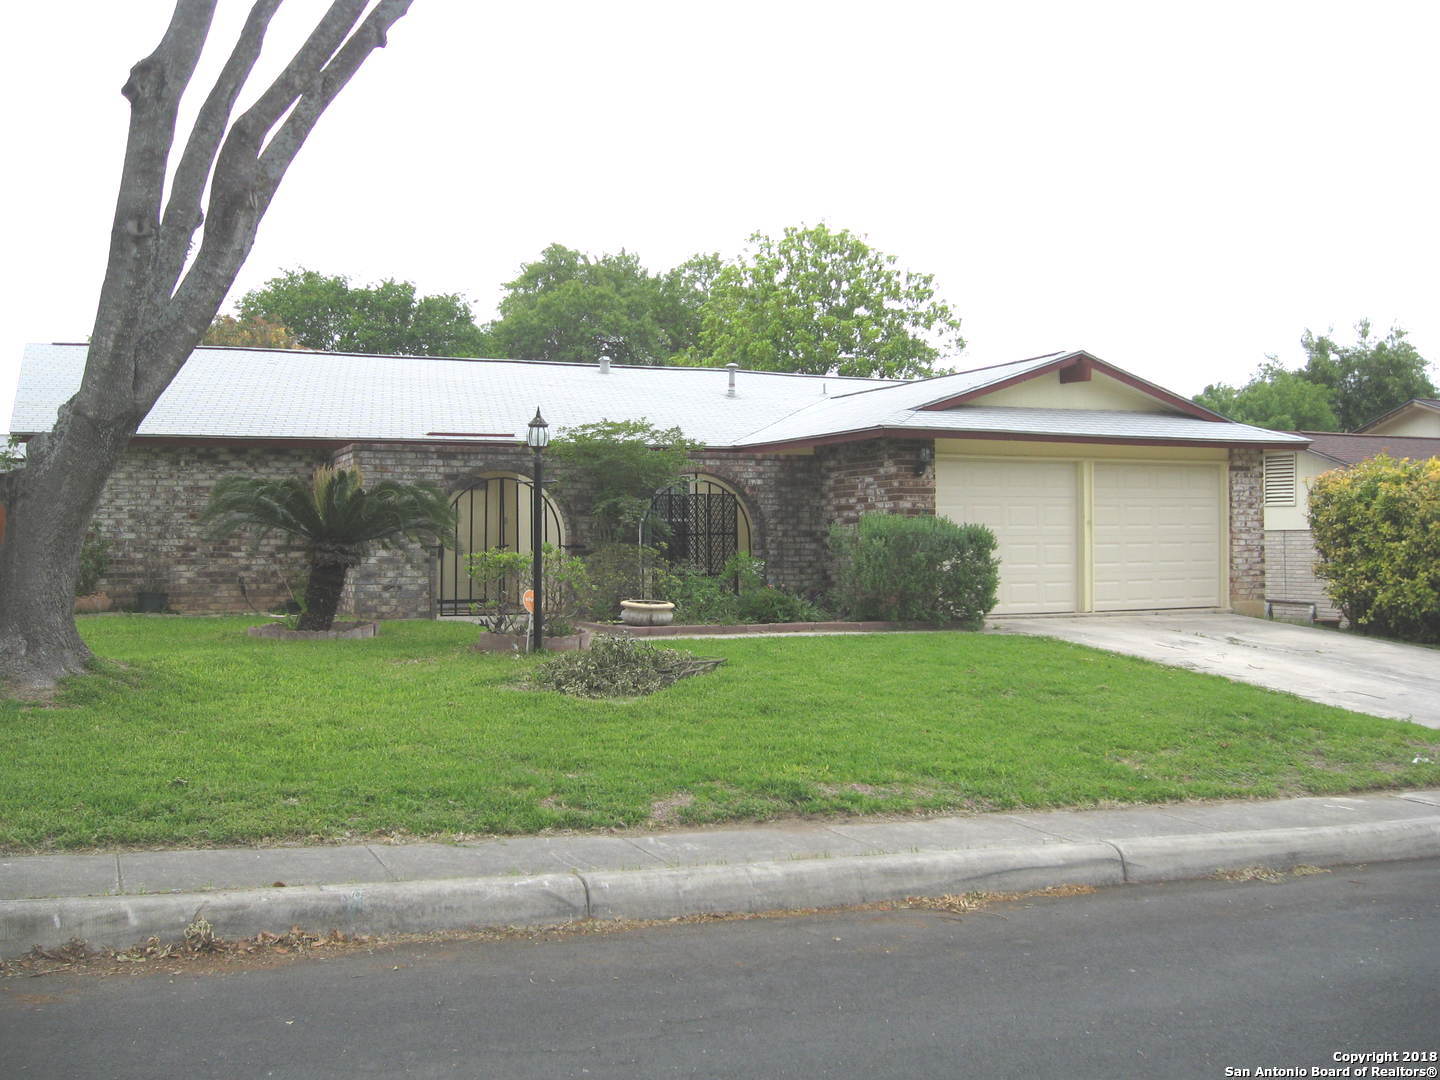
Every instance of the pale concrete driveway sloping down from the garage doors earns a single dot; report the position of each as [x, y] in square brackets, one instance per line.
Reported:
[1379, 678]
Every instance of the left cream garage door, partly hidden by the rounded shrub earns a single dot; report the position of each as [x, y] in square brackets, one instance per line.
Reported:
[1033, 508]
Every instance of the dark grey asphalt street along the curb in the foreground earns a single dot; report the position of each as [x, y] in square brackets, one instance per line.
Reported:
[1180, 980]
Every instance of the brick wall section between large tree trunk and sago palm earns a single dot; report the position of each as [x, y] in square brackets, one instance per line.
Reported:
[152, 508]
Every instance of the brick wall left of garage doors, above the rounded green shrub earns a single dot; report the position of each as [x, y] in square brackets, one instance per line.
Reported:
[876, 476]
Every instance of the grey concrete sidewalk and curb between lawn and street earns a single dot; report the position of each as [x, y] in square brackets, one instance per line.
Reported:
[122, 899]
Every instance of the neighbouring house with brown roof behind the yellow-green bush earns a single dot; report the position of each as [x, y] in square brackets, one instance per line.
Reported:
[1290, 551]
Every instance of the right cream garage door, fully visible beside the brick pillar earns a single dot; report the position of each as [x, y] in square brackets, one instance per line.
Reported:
[1157, 536]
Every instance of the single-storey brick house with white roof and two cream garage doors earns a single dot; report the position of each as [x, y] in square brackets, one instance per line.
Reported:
[1107, 493]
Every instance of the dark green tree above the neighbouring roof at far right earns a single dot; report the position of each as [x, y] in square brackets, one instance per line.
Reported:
[1369, 378]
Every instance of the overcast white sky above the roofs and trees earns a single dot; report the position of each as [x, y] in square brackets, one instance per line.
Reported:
[1177, 188]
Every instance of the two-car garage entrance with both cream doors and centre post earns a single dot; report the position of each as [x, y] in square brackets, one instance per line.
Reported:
[1154, 536]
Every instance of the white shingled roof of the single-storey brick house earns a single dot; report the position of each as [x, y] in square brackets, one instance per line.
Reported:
[258, 394]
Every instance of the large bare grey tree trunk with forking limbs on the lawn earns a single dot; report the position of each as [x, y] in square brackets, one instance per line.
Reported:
[161, 293]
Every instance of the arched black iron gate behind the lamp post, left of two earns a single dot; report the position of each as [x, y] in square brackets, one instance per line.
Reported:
[493, 513]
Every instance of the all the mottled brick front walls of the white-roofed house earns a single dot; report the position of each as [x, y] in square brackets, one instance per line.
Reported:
[153, 502]
